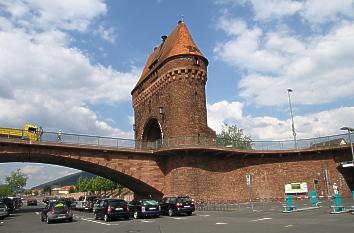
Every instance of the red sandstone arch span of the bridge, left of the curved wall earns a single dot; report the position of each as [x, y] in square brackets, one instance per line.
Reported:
[136, 172]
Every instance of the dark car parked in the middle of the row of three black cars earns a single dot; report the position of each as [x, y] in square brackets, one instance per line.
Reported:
[144, 208]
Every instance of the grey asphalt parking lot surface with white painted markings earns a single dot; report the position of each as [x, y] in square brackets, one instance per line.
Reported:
[264, 219]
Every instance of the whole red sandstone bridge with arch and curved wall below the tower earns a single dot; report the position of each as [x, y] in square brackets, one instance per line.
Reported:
[206, 173]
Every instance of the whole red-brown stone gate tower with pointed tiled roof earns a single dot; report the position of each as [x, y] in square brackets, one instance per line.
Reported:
[169, 98]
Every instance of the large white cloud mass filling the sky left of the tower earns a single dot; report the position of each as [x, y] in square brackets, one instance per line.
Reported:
[49, 82]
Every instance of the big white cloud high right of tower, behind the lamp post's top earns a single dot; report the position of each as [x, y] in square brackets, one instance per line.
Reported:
[319, 67]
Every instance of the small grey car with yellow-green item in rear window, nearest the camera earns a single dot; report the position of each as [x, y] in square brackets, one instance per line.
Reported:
[56, 210]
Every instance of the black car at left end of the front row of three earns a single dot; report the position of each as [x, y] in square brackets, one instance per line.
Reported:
[112, 208]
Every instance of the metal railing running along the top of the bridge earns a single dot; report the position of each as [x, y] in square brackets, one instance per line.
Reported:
[80, 139]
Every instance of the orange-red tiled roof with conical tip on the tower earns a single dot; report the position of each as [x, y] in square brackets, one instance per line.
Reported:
[179, 42]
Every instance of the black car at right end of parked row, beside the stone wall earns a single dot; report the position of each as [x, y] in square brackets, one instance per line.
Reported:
[177, 205]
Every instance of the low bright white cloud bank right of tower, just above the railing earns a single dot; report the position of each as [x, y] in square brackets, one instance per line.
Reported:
[272, 128]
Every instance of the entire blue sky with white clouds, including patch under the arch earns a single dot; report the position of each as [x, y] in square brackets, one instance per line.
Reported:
[71, 65]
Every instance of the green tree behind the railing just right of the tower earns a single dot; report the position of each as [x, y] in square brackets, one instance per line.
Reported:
[233, 136]
